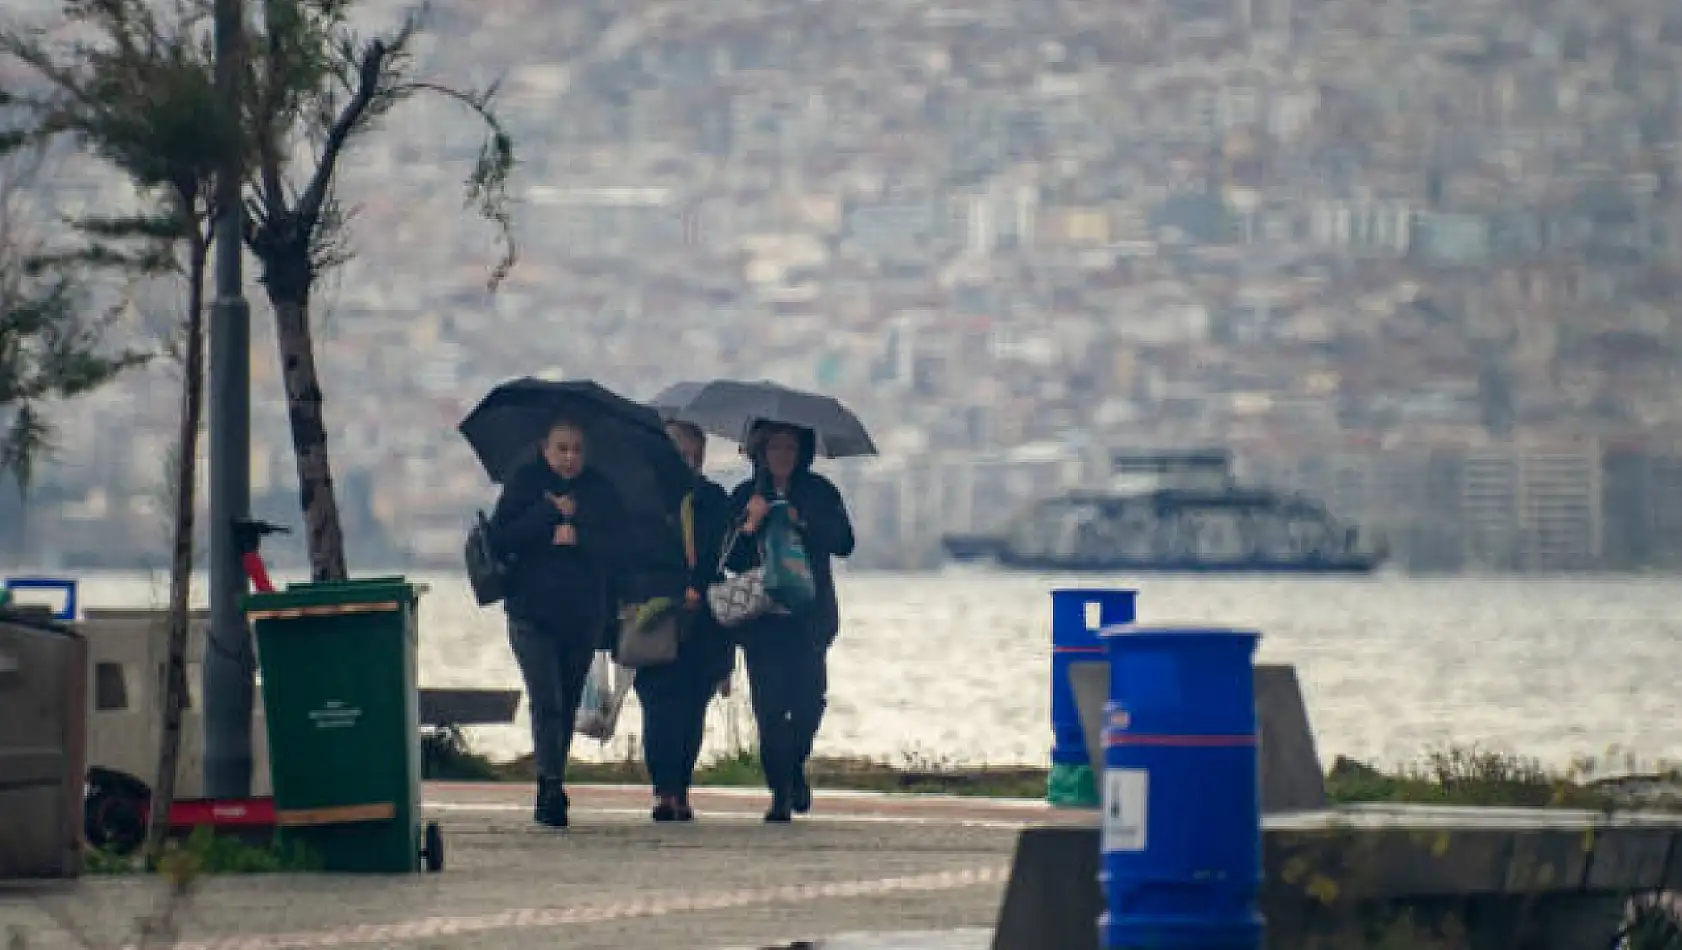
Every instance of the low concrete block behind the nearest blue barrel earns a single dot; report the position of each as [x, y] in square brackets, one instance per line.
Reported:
[1417, 875]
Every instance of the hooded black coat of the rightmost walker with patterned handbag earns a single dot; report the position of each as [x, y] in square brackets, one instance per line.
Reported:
[825, 529]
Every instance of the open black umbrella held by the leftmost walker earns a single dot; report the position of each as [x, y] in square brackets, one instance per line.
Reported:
[625, 441]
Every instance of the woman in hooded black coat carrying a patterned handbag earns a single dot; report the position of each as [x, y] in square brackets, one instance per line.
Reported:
[788, 655]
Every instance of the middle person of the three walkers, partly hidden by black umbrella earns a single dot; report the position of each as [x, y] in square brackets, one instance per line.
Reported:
[675, 695]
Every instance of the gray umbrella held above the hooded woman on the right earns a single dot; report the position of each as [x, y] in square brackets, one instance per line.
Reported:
[731, 408]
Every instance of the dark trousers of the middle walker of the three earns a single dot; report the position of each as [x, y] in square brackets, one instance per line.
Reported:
[674, 699]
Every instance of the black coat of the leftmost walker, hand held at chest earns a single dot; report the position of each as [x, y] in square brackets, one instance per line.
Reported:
[559, 586]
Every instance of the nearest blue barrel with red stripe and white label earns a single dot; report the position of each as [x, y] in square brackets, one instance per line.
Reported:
[1182, 842]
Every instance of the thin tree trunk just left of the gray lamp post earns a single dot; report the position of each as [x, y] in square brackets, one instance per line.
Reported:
[182, 556]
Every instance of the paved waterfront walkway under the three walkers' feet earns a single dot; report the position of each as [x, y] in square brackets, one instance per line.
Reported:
[613, 882]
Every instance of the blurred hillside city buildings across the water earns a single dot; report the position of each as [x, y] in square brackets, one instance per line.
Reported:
[1417, 258]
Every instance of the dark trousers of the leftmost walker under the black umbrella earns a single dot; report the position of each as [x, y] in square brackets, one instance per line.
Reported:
[554, 662]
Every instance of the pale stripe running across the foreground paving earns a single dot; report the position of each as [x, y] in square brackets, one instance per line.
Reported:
[598, 912]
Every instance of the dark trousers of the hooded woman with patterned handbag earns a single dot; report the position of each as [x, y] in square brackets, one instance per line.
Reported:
[788, 673]
